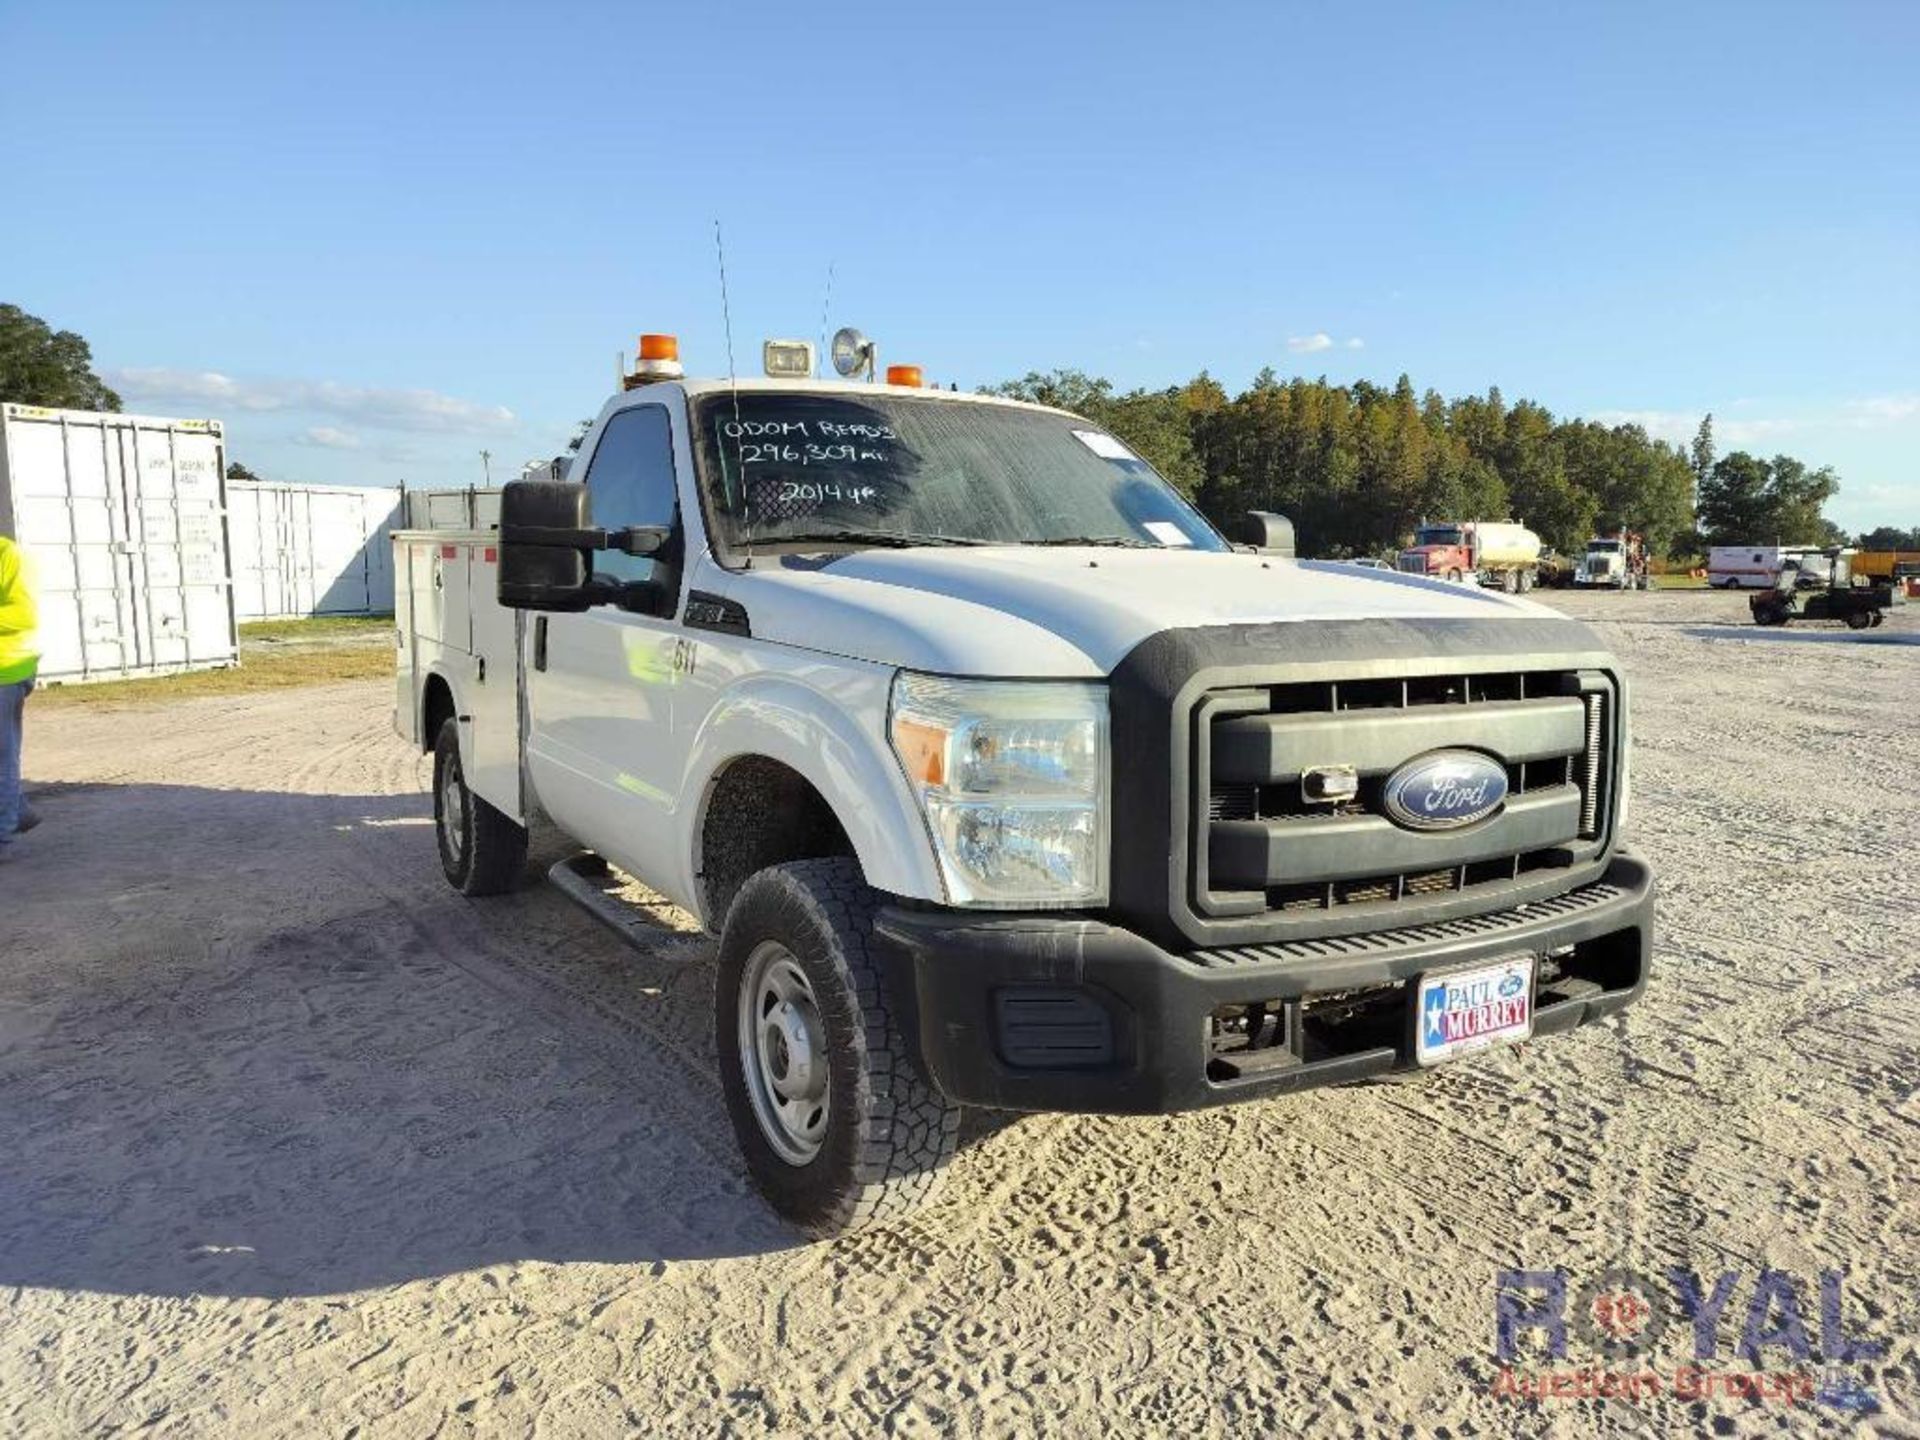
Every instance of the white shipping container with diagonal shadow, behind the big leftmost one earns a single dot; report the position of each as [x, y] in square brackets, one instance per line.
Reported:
[310, 550]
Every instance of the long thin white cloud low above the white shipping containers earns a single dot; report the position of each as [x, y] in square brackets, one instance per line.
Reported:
[393, 410]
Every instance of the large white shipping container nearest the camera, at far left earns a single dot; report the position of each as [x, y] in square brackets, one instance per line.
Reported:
[126, 523]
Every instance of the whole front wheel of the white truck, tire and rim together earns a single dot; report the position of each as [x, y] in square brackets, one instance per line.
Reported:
[840, 1126]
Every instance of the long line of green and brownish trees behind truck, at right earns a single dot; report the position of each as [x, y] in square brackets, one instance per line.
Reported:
[1356, 468]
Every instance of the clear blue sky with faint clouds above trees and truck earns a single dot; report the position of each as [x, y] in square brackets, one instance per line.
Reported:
[381, 239]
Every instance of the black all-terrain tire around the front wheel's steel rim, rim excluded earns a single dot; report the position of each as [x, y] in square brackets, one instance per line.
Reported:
[890, 1132]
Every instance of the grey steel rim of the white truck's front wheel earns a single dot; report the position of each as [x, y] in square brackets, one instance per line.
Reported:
[784, 1053]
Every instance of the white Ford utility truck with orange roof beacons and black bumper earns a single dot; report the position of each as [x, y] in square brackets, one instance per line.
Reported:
[1005, 779]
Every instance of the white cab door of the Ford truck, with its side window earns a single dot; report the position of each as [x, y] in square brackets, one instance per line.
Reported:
[600, 684]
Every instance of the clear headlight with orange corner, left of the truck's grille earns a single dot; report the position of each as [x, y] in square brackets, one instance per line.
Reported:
[1013, 779]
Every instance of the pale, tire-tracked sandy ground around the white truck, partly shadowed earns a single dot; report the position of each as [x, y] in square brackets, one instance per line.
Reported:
[295, 1140]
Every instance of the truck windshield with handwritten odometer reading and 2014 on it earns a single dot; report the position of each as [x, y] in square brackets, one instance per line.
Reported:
[892, 469]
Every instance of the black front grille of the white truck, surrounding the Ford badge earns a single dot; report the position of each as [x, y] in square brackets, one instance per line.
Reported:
[1264, 848]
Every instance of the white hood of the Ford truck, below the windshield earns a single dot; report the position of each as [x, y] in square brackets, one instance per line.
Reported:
[1070, 612]
